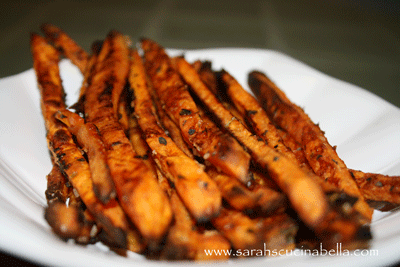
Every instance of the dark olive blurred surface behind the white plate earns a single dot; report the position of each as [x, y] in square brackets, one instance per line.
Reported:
[355, 41]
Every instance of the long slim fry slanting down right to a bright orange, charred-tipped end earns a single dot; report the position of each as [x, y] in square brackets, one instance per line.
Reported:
[303, 189]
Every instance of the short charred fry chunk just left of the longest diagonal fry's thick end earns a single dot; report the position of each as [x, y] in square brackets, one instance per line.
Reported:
[238, 196]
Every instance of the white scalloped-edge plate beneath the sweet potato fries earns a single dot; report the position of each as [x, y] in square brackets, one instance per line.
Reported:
[365, 128]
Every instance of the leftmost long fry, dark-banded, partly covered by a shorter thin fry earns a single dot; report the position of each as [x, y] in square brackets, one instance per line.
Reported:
[64, 150]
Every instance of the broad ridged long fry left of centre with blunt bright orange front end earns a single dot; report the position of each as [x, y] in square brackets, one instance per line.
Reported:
[138, 191]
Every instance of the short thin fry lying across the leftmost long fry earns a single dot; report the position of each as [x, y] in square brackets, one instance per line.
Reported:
[90, 140]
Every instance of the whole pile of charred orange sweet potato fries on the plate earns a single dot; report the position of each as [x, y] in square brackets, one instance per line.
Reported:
[169, 158]
